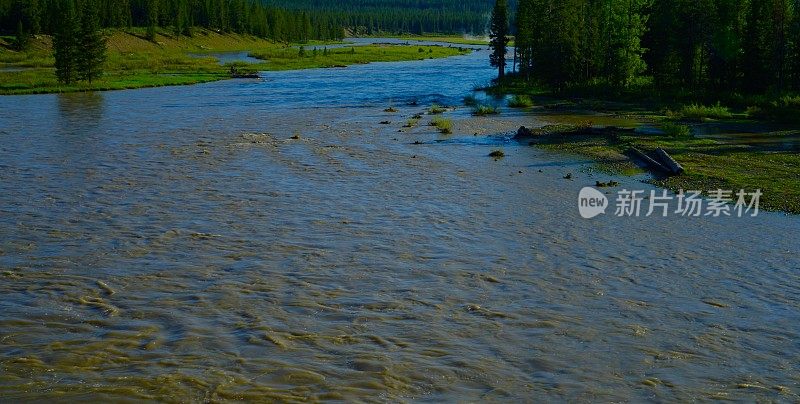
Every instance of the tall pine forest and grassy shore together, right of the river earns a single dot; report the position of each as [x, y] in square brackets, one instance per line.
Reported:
[717, 83]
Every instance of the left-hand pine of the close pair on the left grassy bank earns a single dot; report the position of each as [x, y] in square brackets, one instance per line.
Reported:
[65, 44]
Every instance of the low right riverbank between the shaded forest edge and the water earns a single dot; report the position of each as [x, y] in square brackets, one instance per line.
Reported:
[719, 149]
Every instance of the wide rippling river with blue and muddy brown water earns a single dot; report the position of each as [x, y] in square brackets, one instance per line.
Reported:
[177, 244]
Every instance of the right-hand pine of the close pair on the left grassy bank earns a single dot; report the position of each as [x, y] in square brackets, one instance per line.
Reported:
[91, 44]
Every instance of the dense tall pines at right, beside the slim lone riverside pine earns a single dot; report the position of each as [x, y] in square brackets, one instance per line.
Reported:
[705, 46]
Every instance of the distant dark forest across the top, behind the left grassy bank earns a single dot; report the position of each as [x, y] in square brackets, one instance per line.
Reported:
[283, 20]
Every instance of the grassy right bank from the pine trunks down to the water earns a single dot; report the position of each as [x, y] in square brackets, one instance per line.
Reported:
[724, 141]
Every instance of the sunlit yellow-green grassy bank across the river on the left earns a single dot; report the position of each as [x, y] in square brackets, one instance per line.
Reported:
[133, 61]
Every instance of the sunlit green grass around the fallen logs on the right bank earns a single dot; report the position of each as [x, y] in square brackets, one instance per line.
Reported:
[709, 164]
